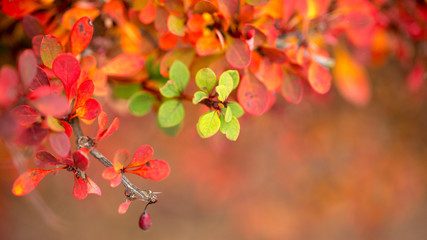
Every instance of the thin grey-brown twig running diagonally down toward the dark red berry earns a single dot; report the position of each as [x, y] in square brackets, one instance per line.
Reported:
[132, 191]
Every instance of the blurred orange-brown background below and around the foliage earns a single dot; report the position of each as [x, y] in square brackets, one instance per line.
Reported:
[323, 169]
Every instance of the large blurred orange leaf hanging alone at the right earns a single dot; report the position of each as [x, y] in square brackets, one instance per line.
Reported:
[350, 78]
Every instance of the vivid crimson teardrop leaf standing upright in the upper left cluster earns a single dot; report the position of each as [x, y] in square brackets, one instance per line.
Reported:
[66, 67]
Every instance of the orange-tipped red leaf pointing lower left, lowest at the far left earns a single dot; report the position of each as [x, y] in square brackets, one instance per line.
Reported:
[29, 180]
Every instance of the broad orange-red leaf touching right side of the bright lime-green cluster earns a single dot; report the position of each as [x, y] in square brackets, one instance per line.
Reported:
[253, 95]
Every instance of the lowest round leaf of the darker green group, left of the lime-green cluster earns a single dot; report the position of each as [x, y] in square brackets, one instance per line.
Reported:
[171, 113]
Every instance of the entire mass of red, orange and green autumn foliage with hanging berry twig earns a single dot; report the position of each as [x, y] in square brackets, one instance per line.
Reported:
[230, 57]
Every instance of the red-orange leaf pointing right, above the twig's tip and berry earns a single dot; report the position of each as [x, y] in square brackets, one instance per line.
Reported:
[154, 169]
